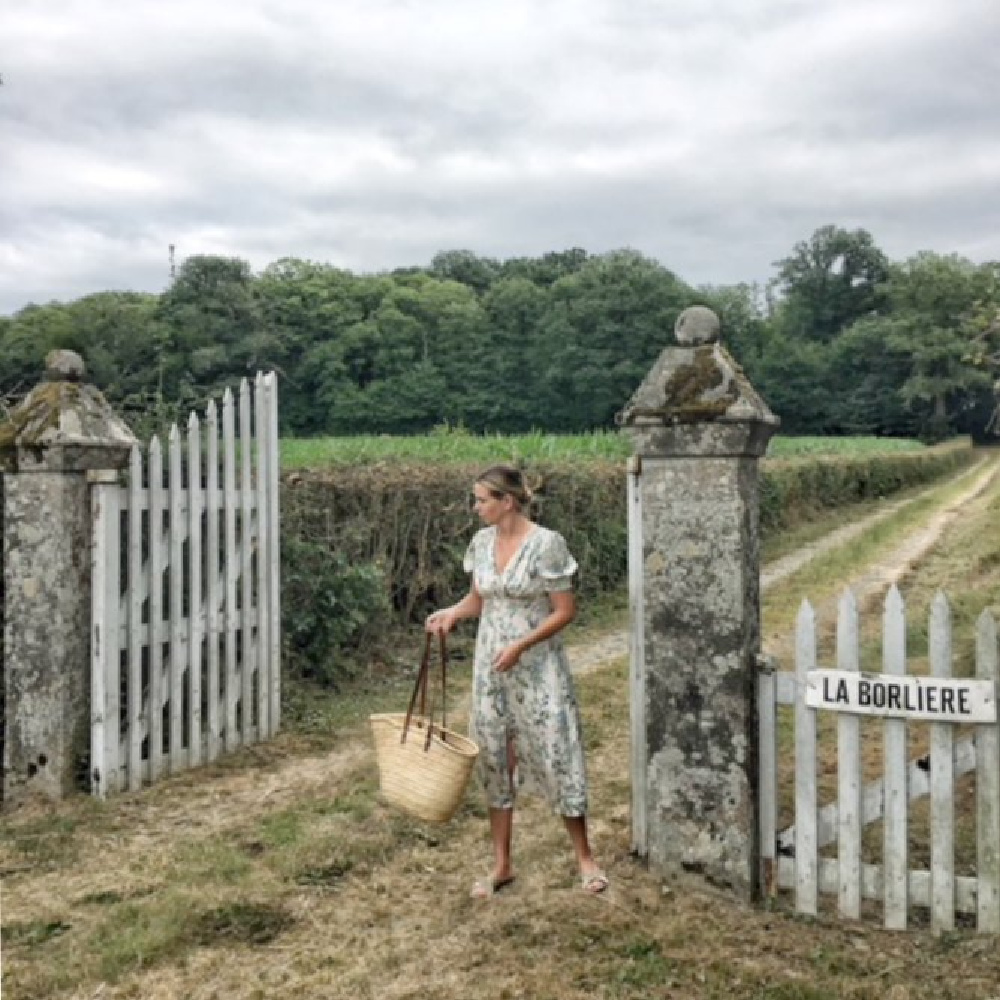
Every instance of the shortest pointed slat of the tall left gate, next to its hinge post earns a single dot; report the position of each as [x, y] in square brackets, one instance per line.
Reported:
[138, 632]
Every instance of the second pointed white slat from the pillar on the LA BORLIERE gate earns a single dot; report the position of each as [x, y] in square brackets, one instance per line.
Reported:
[848, 768]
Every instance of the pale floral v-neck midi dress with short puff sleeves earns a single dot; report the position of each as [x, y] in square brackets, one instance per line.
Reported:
[533, 703]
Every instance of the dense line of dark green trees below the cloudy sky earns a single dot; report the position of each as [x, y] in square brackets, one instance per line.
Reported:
[841, 341]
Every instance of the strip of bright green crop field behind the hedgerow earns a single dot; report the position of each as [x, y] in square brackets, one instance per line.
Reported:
[456, 446]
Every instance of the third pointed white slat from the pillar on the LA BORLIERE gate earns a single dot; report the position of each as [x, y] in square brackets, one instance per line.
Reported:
[895, 860]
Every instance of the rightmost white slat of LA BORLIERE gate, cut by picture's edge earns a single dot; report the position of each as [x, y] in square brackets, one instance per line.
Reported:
[987, 789]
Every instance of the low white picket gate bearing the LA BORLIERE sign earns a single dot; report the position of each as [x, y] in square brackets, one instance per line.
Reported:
[952, 754]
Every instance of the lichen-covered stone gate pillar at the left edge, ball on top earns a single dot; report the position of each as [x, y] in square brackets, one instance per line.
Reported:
[61, 437]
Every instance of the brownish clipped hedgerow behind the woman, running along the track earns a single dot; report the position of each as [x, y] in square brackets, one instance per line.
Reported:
[369, 546]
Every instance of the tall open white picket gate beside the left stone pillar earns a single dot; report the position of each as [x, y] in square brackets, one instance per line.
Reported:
[186, 607]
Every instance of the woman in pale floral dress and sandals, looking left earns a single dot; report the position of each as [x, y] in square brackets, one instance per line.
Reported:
[524, 709]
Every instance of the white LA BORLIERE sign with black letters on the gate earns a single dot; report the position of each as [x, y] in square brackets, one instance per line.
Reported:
[934, 699]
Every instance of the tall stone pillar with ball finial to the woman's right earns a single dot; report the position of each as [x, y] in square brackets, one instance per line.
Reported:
[698, 430]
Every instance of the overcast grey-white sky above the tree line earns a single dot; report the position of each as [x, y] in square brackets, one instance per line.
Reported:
[711, 135]
